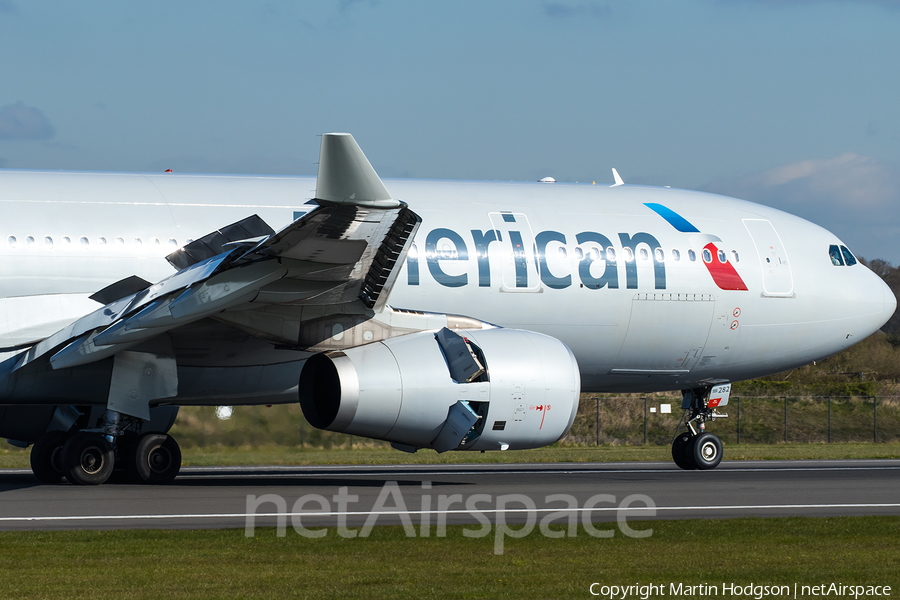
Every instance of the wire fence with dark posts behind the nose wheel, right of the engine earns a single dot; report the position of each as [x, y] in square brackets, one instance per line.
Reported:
[653, 420]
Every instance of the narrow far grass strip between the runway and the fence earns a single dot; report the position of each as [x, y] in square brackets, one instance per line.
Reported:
[294, 455]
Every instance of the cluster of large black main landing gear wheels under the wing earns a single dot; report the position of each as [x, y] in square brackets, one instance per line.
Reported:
[116, 450]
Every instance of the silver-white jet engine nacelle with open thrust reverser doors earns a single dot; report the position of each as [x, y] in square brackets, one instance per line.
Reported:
[401, 390]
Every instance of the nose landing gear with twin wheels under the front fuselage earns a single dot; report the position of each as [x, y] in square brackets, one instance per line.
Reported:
[695, 448]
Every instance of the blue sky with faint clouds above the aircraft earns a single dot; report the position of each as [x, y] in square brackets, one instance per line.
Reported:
[790, 103]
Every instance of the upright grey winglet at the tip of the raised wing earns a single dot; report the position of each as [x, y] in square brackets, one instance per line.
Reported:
[346, 176]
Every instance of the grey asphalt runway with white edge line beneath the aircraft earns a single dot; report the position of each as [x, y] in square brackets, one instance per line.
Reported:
[326, 496]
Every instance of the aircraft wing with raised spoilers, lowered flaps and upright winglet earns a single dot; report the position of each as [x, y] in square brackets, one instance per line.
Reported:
[346, 250]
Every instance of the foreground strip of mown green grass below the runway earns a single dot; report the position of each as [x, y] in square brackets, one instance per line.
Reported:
[225, 564]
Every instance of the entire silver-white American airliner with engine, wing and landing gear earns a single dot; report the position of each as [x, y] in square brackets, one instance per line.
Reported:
[443, 315]
